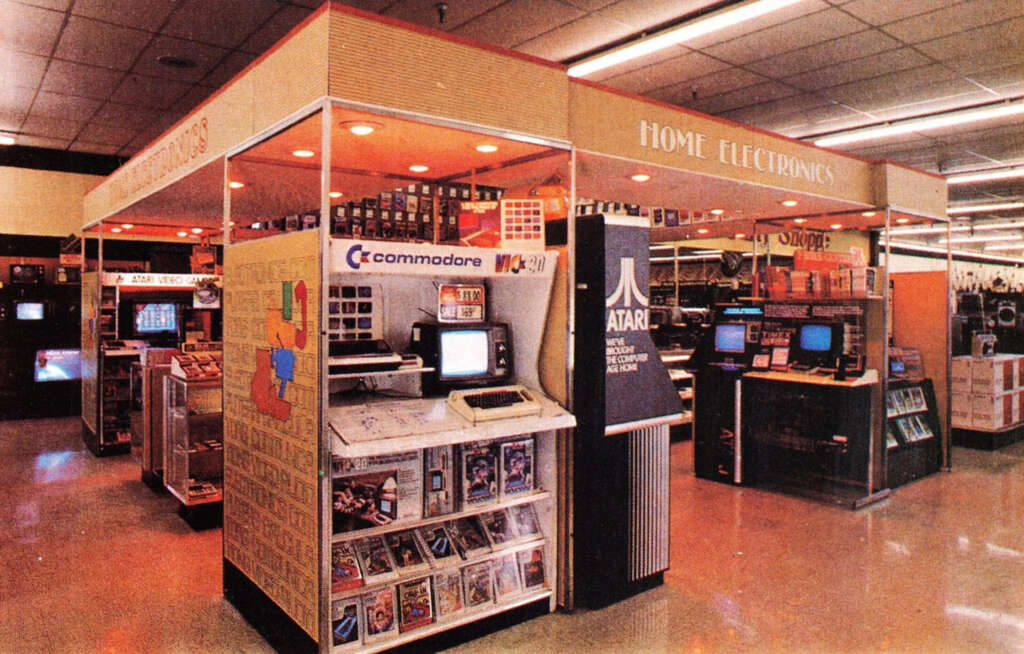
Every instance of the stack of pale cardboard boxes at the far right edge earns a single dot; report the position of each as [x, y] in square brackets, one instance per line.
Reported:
[988, 391]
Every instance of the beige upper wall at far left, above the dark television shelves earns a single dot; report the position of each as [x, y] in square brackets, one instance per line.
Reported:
[42, 203]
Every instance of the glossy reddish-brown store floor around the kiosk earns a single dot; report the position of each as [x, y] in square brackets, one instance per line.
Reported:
[94, 561]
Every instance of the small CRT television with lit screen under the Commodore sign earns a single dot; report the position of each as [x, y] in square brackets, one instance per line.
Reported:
[463, 356]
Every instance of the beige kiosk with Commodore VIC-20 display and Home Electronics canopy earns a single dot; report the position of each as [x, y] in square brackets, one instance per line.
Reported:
[344, 202]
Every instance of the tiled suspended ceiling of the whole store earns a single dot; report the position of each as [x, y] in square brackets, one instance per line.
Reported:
[83, 75]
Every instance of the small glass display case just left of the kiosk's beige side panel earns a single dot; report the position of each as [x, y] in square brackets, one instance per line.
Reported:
[194, 451]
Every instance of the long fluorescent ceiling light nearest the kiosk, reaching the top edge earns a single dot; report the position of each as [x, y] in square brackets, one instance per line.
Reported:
[679, 34]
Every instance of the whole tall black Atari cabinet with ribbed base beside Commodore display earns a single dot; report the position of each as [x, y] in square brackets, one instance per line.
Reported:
[621, 458]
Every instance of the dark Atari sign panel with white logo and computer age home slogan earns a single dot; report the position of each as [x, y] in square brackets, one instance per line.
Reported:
[637, 386]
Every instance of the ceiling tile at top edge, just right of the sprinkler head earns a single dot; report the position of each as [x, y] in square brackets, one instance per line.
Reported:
[519, 21]
